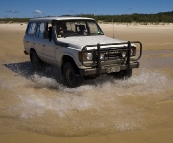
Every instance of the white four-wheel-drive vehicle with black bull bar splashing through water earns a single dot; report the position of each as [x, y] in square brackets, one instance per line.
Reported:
[79, 47]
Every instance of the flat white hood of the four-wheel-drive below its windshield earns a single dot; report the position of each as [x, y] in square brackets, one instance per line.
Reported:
[80, 42]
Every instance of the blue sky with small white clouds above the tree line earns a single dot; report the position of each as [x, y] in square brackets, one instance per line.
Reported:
[42, 8]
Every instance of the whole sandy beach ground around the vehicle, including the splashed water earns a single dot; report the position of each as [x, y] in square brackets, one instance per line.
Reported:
[38, 108]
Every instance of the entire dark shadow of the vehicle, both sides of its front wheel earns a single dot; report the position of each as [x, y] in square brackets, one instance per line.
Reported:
[25, 69]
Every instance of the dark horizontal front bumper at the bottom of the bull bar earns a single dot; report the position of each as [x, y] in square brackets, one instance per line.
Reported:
[103, 69]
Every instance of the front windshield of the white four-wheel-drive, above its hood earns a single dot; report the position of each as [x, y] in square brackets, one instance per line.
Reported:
[77, 28]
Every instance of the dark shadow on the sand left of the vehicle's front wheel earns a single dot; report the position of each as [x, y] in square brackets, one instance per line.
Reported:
[26, 70]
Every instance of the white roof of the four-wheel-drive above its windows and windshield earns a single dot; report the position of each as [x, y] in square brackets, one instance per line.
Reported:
[60, 18]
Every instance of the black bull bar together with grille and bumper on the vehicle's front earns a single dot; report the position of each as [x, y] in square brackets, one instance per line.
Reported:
[121, 63]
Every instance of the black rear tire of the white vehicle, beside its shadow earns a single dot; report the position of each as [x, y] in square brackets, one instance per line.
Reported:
[36, 62]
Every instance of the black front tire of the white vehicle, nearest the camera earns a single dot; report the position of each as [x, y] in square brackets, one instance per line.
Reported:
[71, 79]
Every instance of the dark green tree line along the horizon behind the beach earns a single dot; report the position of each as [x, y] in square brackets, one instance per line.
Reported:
[164, 17]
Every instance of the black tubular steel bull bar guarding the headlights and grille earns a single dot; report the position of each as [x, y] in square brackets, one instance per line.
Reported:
[97, 51]
